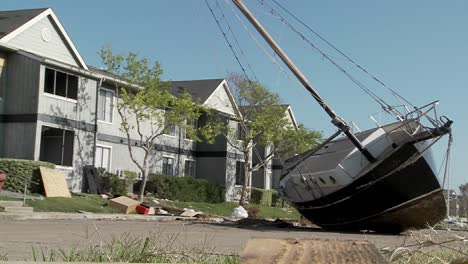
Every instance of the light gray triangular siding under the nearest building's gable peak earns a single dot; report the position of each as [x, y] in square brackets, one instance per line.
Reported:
[31, 40]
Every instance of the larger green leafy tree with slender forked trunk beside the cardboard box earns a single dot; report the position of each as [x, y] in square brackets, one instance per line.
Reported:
[147, 108]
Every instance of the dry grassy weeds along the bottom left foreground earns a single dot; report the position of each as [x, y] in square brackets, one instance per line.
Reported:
[153, 248]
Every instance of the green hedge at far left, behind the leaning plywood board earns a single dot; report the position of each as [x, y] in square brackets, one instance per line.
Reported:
[20, 172]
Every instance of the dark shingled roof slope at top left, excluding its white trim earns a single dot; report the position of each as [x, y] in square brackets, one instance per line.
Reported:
[11, 20]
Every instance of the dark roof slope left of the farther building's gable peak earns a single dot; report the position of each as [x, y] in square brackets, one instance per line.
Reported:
[199, 89]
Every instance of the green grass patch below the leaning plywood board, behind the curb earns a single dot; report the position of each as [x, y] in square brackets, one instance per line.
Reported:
[84, 202]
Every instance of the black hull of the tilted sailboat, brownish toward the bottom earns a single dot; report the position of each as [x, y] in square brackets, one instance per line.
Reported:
[388, 198]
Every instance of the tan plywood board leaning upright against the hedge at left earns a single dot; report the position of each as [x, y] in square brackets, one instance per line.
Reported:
[54, 183]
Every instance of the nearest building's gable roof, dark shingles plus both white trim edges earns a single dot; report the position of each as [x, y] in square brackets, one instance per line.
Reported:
[14, 22]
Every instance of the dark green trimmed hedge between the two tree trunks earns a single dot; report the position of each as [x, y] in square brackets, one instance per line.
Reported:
[185, 189]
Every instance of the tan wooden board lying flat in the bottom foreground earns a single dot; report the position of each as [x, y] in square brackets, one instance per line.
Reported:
[267, 250]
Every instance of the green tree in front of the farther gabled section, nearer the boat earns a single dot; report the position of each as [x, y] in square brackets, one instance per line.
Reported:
[261, 121]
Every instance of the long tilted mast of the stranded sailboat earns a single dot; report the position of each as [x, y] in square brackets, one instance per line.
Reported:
[336, 120]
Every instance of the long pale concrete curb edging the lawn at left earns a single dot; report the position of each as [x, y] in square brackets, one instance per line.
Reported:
[88, 216]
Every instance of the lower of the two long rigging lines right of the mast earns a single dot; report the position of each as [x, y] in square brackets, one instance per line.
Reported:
[382, 103]
